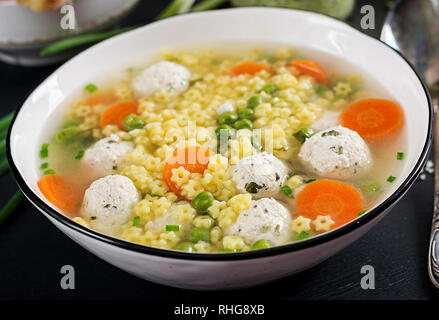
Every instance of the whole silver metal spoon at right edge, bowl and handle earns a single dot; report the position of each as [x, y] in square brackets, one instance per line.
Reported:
[412, 27]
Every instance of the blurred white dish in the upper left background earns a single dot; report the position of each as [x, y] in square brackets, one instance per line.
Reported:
[24, 32]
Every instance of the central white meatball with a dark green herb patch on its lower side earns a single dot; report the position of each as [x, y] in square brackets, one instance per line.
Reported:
[262, 175]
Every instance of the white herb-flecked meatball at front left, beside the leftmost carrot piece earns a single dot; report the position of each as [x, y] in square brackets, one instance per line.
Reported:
[108, 201]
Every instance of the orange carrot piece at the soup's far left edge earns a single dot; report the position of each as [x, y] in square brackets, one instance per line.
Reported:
[61, 193]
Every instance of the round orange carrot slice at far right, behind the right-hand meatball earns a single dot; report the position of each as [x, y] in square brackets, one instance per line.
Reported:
[373, 118]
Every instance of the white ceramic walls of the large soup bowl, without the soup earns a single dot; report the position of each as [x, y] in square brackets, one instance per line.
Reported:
[284, 27]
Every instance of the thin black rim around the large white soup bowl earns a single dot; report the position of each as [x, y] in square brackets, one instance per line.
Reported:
[287, 248]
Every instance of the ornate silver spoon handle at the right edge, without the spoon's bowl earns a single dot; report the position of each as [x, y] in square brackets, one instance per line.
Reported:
[433, 251]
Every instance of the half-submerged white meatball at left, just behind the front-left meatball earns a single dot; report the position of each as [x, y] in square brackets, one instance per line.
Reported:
[104, 157]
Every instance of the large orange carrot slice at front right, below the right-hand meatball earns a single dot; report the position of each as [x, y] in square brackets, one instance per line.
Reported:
[338, 200]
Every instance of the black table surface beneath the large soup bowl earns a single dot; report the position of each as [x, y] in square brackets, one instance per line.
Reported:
[32, 251]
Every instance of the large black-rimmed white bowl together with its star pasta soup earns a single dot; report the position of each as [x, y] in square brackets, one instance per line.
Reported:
[201, 155]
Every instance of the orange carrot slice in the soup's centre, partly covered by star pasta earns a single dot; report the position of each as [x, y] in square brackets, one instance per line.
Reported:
[193, 159]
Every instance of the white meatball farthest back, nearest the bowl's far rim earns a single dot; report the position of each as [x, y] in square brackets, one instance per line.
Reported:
[163, 75]
